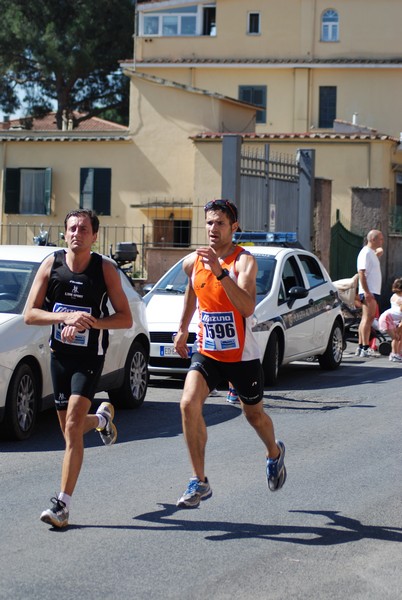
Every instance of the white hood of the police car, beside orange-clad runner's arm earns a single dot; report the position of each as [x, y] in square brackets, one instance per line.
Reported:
[164, 312]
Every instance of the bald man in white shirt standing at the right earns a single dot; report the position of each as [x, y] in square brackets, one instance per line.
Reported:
[370, 279]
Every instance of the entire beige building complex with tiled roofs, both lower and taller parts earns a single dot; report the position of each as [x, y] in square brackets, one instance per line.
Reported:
[294, 74]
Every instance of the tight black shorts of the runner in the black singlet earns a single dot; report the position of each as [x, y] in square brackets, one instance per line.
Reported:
[73, 375]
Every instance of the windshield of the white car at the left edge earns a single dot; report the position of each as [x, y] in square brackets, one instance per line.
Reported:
[16, 278]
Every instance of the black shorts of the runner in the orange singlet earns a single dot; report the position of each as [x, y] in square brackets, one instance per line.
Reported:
[246, 376]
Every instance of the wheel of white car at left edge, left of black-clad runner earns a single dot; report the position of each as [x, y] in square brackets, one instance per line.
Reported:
[21, 404]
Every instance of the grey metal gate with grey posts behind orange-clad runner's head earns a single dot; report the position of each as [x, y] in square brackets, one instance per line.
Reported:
[273, 193]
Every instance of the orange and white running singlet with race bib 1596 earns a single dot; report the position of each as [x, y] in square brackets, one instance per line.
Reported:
[224, 334]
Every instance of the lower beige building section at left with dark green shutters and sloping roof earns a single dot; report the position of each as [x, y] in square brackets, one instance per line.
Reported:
[141, 181]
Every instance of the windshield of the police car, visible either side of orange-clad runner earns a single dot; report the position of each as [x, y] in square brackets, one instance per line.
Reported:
[175, 281]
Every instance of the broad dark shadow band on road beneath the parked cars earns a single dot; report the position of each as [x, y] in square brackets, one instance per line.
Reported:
[161, 418]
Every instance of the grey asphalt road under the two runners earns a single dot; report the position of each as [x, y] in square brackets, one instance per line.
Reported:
[333, 532]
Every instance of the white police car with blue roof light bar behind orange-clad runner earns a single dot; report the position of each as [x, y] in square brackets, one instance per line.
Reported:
[297, 315]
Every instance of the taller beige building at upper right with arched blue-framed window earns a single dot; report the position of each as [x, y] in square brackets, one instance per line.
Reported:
[305, 63]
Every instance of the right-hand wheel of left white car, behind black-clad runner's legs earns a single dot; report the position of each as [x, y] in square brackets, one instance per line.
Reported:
[132, 393]
